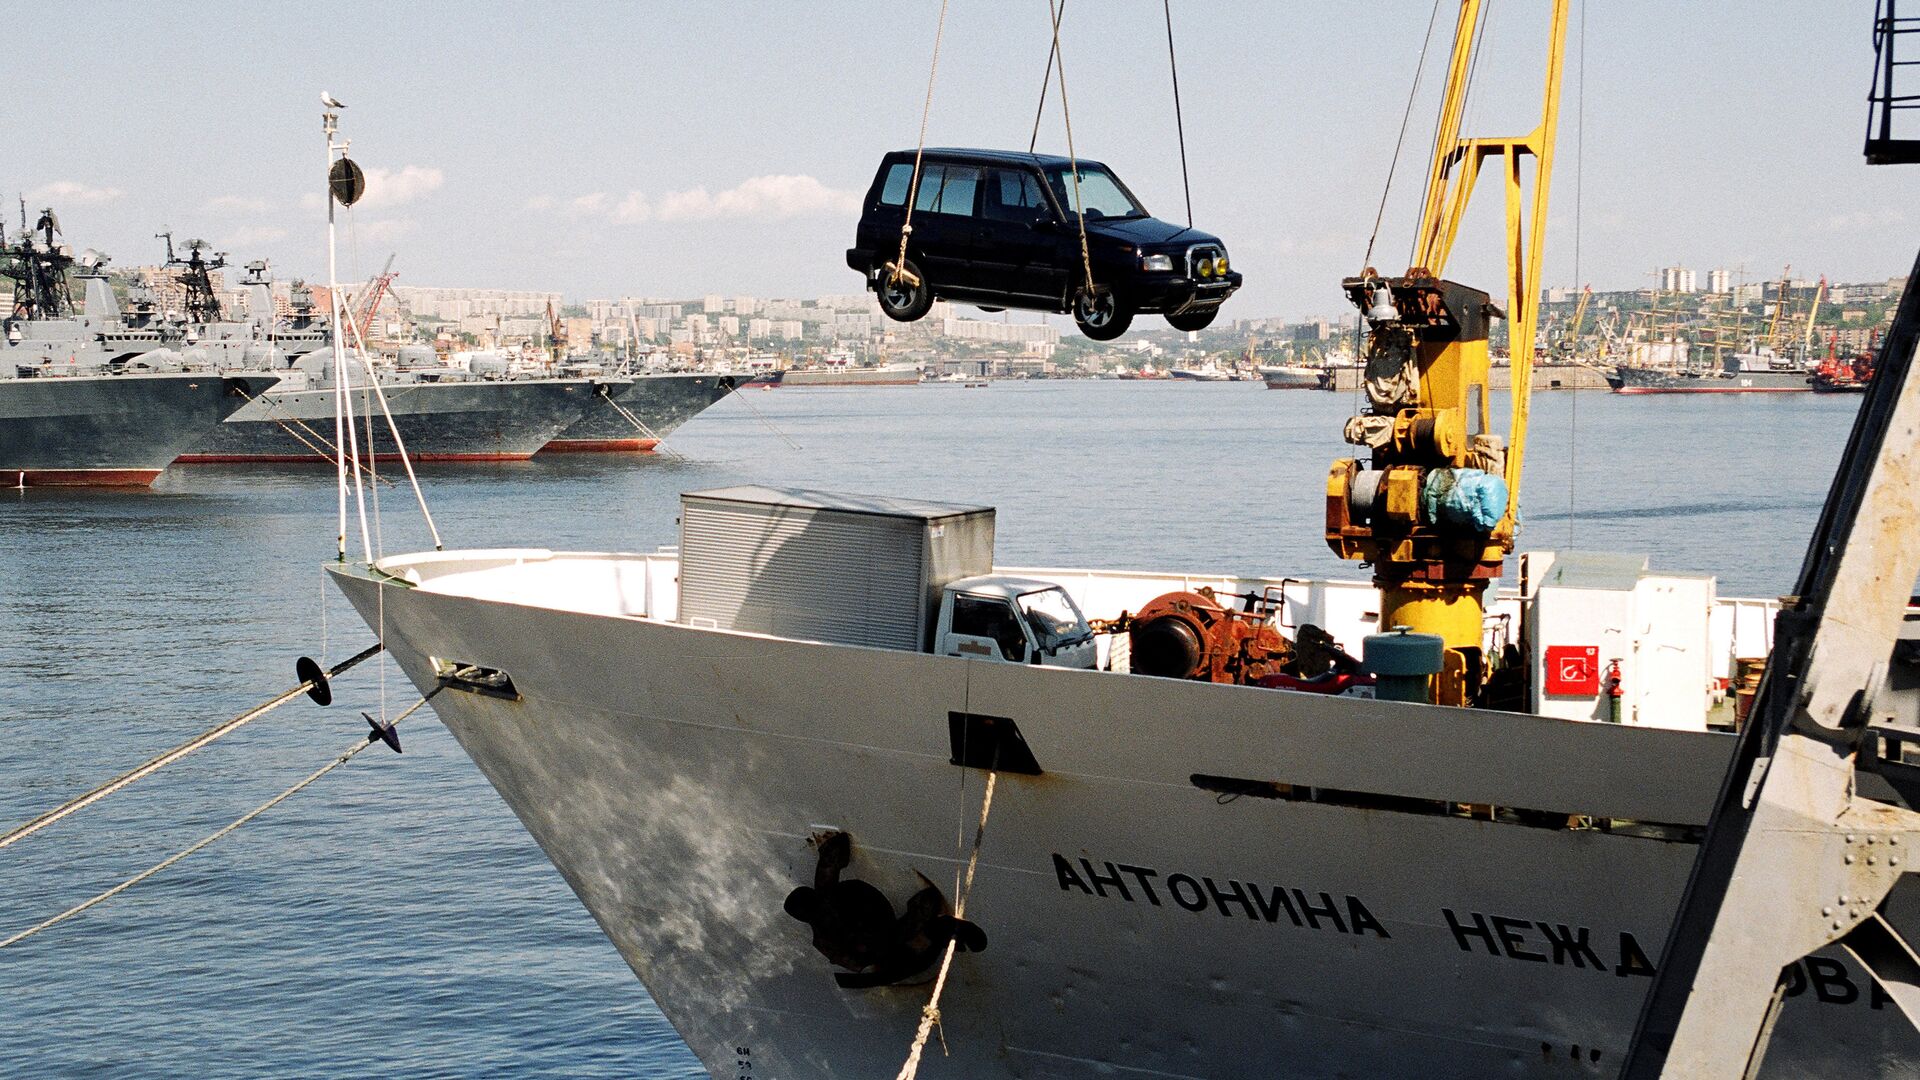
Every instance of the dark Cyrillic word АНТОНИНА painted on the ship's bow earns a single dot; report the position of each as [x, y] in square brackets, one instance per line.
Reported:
[1226, 898]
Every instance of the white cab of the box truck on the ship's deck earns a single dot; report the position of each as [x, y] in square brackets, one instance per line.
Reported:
[1017, 622]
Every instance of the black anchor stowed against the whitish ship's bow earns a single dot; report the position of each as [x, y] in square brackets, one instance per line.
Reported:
[855, 925]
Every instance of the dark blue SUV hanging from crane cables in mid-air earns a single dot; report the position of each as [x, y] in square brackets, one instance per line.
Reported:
[999, 230]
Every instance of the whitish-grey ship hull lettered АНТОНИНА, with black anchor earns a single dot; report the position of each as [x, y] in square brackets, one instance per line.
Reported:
[1138, 923]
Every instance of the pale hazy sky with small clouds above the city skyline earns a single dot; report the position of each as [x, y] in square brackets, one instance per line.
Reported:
[711, 147]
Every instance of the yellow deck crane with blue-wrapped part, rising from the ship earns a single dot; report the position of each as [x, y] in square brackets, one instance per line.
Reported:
[1435, 506]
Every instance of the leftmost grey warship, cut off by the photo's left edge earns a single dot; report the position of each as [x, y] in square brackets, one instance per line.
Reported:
[84, 403]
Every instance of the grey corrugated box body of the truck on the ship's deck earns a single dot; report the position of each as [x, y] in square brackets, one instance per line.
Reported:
[823, 566]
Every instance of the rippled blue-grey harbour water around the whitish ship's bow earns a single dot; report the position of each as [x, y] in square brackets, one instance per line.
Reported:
[395, 920]
